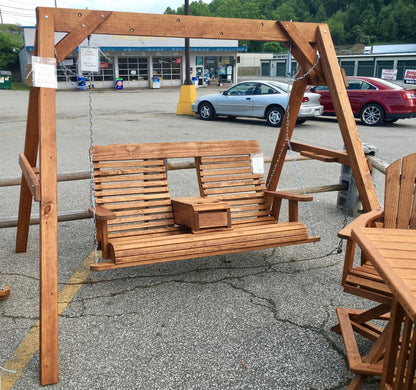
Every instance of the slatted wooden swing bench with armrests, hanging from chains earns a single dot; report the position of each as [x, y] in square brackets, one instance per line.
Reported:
[135, 218]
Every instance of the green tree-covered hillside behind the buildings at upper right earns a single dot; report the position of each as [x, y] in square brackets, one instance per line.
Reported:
[350, 21]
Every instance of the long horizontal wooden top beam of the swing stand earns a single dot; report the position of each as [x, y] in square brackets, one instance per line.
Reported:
[181, 26]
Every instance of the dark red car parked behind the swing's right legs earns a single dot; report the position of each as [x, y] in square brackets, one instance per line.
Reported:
[373, 100]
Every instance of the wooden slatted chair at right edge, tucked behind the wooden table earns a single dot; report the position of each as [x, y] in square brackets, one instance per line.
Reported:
[363, 280]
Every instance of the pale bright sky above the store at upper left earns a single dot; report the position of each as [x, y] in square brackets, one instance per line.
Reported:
[23, 11]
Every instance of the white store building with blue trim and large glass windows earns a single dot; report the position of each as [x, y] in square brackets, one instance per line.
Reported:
[137, 60]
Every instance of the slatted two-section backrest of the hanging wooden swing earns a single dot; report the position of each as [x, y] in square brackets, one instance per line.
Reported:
[131, 181]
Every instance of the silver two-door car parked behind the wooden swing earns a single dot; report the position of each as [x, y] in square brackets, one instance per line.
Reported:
[256, 99]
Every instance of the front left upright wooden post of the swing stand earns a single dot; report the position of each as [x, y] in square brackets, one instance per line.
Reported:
[48, 212]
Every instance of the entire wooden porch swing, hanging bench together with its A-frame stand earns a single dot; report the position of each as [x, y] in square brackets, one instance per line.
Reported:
[305, 39]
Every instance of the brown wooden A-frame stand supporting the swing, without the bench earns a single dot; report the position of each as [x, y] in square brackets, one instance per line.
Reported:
[305, 39]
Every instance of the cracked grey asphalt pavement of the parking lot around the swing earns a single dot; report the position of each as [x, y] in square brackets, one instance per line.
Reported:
[253, 320]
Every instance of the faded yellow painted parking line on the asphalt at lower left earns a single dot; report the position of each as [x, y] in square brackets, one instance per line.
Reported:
[30, 344]
